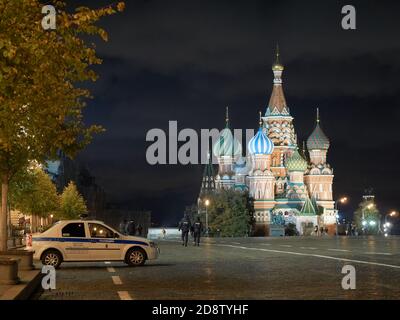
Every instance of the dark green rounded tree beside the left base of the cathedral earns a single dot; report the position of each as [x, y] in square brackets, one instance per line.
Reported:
[231, 213]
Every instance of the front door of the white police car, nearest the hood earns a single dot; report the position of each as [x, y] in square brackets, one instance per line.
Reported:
[103, 244]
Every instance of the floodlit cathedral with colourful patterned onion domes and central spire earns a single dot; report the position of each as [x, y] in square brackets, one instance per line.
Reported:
[288, 184]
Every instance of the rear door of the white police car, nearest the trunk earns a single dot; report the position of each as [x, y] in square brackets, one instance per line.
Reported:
[74, 242]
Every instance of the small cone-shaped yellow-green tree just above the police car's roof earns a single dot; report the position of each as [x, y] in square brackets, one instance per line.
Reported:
[72, 203]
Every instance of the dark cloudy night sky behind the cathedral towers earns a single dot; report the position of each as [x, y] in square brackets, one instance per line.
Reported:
[187, 60]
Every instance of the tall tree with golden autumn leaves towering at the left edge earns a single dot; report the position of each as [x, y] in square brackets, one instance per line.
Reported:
[41, 93]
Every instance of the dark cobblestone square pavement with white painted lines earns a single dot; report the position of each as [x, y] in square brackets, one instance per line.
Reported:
[245, 268]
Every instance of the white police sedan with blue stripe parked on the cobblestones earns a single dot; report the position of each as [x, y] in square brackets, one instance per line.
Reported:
[90, 240]
